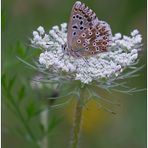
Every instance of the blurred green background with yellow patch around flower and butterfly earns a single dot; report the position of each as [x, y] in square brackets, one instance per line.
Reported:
[100, 129]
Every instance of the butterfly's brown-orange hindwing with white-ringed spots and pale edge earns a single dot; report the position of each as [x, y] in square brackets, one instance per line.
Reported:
[95, 39]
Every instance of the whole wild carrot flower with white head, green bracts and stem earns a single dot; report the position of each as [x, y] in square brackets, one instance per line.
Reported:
[79, 76]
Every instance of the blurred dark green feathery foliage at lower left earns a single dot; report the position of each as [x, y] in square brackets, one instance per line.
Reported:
[25, 116]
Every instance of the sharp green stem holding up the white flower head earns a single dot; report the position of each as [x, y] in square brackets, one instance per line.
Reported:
[77, 124]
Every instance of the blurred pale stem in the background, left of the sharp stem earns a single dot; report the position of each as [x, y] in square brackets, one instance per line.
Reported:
[44, 121]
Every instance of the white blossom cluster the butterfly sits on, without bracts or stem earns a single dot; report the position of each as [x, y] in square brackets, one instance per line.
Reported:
[123, 53]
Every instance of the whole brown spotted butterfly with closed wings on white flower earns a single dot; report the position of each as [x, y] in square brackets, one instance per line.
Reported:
[87, 35]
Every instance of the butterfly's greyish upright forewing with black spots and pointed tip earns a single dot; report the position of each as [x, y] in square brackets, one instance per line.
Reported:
[81, 19]
